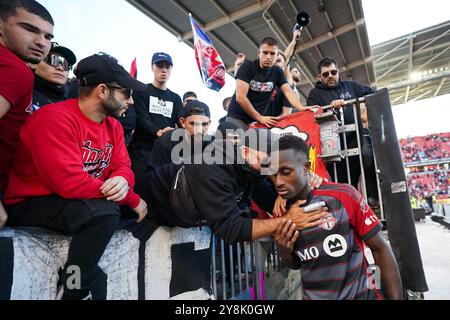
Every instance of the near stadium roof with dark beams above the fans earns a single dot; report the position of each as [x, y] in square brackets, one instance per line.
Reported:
[337, 30]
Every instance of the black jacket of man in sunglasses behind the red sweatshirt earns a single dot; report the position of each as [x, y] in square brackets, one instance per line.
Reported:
[45, 92]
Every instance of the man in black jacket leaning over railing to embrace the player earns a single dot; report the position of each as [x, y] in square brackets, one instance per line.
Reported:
[210, 193]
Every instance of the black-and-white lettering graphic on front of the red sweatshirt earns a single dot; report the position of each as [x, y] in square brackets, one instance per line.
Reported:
[96, 160]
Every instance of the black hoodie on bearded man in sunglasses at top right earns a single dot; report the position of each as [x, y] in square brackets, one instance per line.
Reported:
[346, 89]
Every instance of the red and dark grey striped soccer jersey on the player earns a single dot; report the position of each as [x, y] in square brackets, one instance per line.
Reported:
[331, 256]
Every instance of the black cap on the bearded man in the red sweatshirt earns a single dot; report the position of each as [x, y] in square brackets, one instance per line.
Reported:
[102, 68]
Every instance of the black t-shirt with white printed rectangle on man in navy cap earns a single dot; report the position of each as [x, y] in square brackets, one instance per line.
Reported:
[155, 109]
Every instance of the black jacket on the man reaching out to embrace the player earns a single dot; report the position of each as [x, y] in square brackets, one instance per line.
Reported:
[217, 191]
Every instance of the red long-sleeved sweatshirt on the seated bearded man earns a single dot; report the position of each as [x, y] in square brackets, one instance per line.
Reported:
[63, 152]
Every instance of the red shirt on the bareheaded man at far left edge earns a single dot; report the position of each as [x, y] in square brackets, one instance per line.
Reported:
[16, 86]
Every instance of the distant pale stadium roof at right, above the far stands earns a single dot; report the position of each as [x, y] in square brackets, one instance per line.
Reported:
[415, 66]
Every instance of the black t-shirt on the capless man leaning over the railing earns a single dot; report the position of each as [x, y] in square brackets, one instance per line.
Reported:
[262, 83]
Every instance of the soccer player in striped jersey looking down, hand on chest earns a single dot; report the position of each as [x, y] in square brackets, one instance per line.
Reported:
[330, 255]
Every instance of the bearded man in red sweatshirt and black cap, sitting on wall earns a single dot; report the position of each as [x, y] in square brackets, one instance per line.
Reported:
[72, 171]
